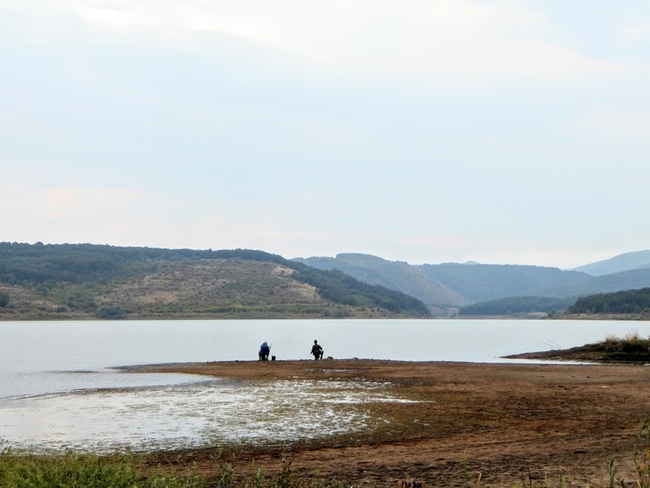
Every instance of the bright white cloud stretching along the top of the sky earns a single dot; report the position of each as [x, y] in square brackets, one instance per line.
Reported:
[439, 40]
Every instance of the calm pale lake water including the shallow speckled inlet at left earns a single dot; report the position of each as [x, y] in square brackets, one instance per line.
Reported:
[58, 388]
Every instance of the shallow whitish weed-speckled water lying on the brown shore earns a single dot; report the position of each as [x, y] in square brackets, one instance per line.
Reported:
[191, 415]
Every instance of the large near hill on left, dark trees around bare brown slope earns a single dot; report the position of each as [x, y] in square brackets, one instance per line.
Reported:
[85, 280]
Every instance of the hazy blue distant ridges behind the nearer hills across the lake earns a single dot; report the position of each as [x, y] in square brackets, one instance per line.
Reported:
[452, 285]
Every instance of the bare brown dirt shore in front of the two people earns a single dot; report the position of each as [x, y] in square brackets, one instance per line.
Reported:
[503, 424]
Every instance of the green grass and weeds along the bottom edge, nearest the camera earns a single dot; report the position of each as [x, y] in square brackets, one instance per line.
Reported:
[23, 470]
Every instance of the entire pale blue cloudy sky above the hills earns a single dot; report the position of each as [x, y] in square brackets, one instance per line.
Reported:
[497, 131]
